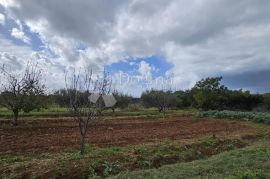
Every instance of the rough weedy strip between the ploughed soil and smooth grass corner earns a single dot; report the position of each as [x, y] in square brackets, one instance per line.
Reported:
[110, 161]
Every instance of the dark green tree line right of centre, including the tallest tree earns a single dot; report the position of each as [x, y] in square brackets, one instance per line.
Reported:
[207, 94]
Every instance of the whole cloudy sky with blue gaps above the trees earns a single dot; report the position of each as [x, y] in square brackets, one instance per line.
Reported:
[183, 40]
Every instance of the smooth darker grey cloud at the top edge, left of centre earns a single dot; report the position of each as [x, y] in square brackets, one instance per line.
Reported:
[88, 21]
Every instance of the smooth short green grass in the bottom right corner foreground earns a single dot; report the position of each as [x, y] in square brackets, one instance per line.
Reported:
[251, 162]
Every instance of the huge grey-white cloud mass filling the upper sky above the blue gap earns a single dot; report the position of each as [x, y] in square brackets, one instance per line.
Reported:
[199, 38]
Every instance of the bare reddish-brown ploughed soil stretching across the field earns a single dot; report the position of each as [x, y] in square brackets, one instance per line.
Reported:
[55, 135]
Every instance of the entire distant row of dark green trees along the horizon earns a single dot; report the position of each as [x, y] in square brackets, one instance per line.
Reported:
[207, 94]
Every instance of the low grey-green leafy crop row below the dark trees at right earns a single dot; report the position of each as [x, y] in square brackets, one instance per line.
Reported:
[260, 117]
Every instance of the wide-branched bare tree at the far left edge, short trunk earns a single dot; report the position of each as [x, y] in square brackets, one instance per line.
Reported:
[21, 92]
